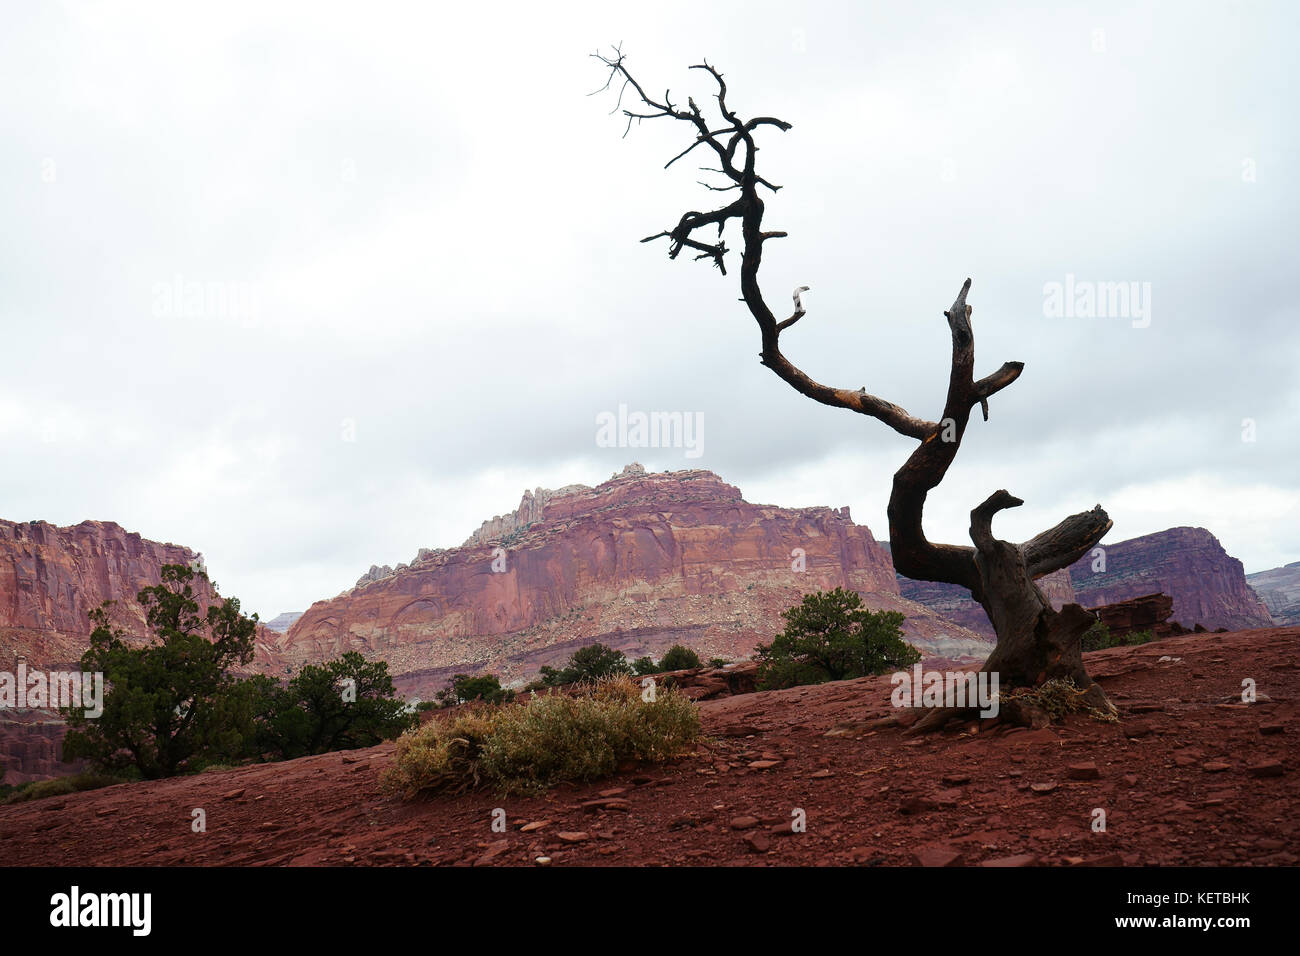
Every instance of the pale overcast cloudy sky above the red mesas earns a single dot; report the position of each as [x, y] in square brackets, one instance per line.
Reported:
[309, 287]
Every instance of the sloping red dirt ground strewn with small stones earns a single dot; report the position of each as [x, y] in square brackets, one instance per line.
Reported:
[1190, 777]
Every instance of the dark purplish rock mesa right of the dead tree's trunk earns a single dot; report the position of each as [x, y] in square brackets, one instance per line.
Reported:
[1190, 565]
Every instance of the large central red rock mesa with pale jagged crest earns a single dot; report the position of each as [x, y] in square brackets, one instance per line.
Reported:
[639, 563]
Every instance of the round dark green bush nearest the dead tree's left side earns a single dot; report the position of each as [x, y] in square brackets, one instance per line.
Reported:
[833, 637]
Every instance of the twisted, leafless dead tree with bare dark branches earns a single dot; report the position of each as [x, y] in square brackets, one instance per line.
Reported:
[1035, 643]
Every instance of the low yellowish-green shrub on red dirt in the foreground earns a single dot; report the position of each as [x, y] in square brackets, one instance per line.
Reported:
[528, 747]
